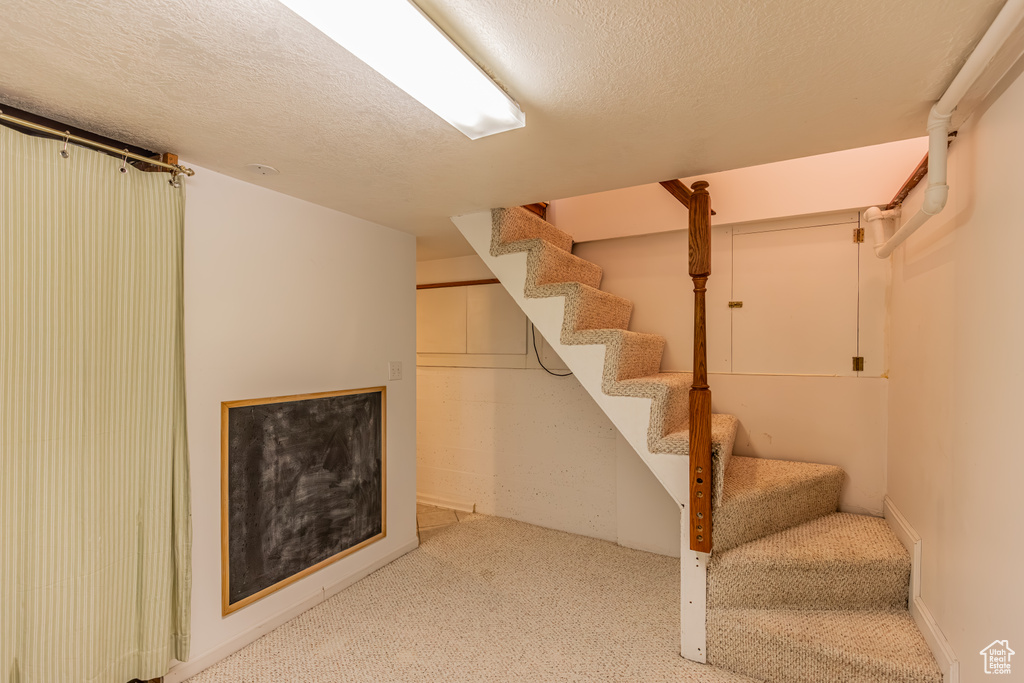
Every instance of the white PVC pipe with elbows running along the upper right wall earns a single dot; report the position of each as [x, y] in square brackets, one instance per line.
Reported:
[938, 125]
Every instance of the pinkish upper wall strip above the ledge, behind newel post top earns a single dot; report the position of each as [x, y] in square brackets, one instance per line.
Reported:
[848, 180]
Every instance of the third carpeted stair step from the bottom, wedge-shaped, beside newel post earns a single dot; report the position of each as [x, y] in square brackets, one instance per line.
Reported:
[762, 497]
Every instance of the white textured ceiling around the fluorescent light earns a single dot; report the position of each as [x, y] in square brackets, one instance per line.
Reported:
[616, 94]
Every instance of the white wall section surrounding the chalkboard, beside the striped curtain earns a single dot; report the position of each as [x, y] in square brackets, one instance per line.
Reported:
[285, 297]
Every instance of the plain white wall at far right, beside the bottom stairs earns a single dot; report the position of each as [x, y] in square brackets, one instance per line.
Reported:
[956, 469]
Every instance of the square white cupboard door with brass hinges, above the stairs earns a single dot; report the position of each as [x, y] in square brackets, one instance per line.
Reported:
[799, 293]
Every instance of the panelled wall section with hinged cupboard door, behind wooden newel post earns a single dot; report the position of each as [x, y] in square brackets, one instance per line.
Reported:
[805, 313]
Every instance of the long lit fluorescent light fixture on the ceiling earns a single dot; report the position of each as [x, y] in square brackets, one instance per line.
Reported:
[398, 40]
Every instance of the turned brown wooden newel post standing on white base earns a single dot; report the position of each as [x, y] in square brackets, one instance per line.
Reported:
[701, 471]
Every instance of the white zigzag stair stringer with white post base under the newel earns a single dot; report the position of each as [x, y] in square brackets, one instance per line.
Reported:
[630, 415]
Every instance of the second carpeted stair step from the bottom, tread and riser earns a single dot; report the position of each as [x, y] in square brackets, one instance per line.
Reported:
[840, 562]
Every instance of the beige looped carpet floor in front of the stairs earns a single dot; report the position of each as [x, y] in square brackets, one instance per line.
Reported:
[488, 600]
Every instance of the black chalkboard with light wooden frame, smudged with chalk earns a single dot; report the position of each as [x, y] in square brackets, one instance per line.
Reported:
[304, 485]
